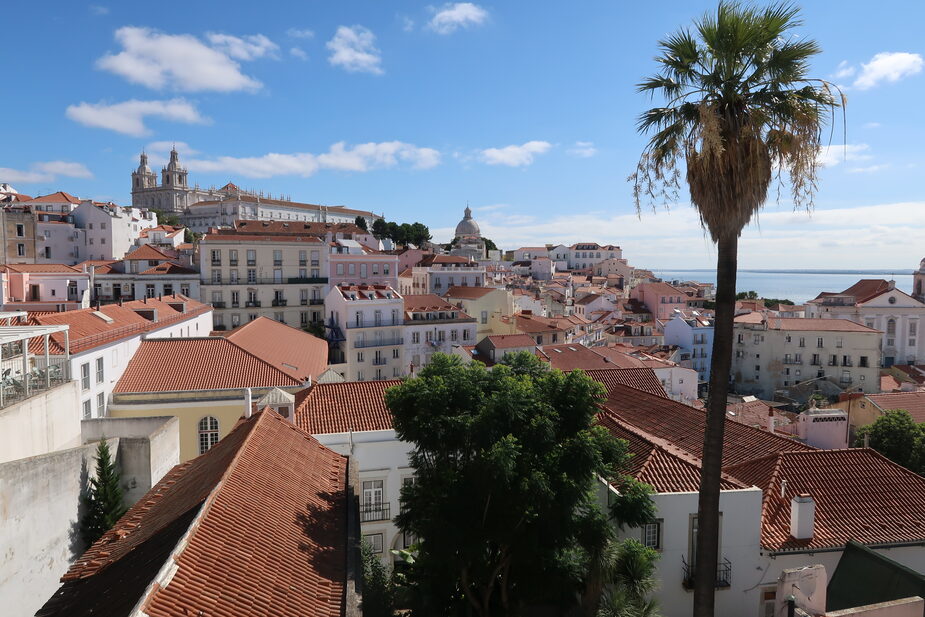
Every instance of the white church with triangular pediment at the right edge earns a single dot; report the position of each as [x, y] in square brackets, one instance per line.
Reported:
[879, 305]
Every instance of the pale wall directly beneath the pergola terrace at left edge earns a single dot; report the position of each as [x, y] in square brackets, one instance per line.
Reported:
[43, 423]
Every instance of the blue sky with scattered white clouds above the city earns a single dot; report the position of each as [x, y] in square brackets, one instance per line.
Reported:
[524, 110]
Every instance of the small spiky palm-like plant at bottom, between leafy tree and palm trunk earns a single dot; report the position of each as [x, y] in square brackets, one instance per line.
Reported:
[631, 573]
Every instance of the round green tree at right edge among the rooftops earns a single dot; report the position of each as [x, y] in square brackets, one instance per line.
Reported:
[898, 437]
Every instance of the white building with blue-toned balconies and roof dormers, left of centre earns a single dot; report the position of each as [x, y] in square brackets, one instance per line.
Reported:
[365, 326]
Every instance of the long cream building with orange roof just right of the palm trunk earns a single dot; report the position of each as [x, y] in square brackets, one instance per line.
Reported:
[772, 354]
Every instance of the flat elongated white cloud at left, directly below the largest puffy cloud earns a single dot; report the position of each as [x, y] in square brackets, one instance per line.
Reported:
[128, 117]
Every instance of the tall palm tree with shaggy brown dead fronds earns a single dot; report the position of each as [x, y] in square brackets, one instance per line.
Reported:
[739, 111]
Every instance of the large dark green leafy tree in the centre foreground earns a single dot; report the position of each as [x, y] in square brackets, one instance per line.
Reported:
[505, 464]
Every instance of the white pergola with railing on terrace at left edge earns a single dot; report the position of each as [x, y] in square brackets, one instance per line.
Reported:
[21, 382]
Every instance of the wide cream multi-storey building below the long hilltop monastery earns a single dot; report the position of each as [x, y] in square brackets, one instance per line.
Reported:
[245, 276]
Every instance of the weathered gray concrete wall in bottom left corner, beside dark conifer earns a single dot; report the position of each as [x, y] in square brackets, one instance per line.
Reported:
[39, 513]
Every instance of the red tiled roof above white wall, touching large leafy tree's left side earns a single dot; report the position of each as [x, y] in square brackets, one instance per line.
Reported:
[343, 407]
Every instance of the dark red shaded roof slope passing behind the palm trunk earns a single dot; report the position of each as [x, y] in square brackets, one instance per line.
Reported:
[684, 426]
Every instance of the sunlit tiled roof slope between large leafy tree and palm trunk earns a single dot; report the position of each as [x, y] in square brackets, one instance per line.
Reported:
[658, 463]
